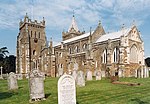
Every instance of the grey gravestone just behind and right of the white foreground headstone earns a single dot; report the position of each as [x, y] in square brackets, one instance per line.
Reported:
[80, 79]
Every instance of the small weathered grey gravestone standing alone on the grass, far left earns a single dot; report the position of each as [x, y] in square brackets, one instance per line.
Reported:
[12, 81]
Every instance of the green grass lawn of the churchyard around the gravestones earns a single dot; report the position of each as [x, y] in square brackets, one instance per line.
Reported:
[95, 92]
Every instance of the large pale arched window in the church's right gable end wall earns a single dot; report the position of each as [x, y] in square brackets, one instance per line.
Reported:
[133, 54]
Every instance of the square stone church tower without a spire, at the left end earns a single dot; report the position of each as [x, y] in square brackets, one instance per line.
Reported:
[30, 41]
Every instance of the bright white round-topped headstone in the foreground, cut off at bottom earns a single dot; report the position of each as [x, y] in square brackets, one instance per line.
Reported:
[66, 90]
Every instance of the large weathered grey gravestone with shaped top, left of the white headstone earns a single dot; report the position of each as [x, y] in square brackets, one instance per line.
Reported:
[36, 85]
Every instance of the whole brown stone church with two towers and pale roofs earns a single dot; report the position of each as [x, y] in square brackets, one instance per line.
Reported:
[117, 53]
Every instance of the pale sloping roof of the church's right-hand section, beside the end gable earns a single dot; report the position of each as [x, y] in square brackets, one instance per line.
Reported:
[114, 35]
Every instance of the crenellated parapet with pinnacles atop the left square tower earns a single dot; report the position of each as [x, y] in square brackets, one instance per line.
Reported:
[34, 23]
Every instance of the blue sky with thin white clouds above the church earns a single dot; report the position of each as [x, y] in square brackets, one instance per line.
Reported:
[58, 16]
